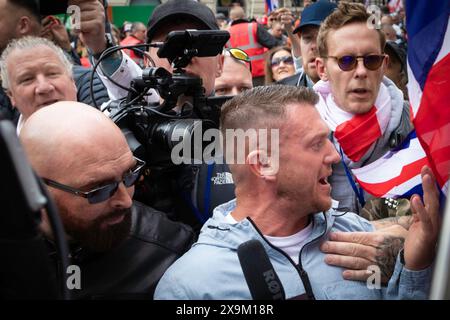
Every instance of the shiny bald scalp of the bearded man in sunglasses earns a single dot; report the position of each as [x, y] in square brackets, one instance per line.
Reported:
[65, 133]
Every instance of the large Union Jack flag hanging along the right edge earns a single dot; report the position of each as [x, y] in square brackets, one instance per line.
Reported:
[428, 28]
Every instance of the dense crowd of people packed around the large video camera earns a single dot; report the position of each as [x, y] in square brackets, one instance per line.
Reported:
[323, 79]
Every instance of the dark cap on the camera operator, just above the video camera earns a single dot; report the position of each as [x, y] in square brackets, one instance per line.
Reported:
[181, 8]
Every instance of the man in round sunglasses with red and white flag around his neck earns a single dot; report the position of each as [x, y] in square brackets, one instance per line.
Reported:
[367, 116]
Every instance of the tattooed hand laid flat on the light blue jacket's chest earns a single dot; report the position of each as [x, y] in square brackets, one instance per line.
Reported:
[356, 251]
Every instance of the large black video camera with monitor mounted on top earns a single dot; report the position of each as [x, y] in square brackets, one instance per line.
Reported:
[153, 130]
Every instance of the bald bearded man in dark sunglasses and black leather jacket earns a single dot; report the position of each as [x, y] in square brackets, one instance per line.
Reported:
[121, 247]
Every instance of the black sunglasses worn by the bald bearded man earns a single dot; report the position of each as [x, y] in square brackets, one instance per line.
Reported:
[102, 193]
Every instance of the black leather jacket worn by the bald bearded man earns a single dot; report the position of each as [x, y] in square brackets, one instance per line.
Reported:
[133, 269]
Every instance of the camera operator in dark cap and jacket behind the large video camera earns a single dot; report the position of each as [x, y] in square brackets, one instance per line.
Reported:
[182, 191]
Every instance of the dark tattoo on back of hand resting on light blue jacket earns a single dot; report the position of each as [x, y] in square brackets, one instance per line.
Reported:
[387, 253]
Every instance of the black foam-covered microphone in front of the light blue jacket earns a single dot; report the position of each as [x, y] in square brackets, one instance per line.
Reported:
[262, 280]
